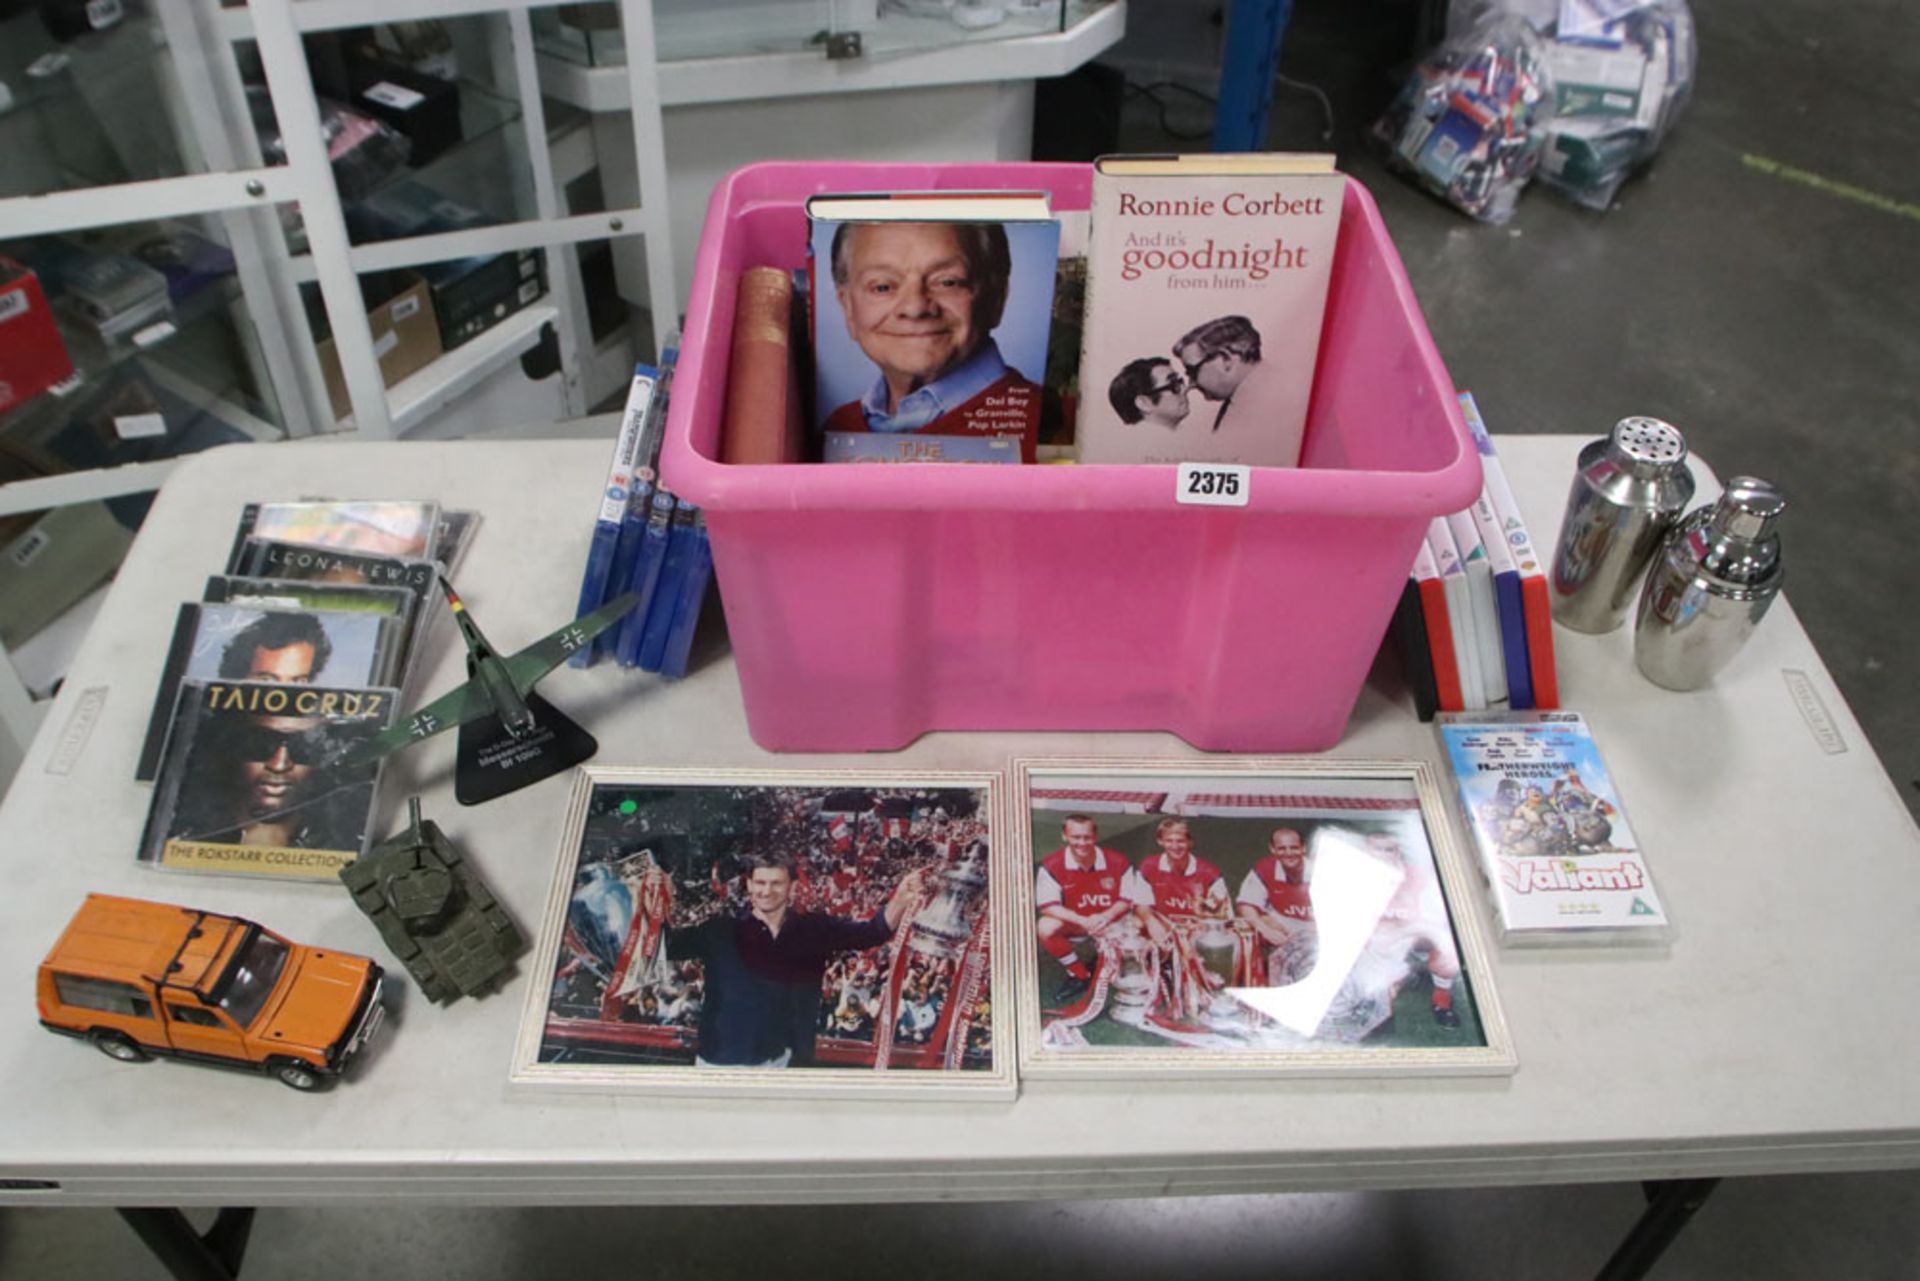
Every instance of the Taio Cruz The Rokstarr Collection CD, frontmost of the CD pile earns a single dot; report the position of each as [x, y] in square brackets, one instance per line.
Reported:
[251, 785]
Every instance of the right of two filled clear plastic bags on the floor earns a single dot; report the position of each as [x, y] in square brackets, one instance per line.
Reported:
[1623, 70]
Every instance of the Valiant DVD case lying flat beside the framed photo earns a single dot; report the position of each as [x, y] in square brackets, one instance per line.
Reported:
[1560, 858]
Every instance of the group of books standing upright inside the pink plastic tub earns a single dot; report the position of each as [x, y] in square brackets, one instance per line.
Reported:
[1174, 322]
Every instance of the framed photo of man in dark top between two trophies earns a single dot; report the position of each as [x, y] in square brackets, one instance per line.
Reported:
[777, 932]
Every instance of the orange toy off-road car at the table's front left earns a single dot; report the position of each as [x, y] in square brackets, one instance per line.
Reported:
[143, 979]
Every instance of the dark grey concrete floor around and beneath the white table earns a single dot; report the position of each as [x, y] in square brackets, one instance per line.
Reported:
[1773, 322]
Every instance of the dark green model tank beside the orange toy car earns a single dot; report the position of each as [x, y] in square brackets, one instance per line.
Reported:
[433, 911]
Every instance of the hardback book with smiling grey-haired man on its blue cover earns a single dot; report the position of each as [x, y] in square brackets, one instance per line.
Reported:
[930, 318]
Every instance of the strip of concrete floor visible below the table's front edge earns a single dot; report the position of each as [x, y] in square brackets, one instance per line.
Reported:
[1861, 1228]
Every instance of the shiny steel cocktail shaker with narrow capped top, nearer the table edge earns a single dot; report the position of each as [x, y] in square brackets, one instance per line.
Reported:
[1712, 583]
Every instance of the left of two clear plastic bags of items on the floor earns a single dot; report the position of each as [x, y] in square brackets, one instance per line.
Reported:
[1472, 122]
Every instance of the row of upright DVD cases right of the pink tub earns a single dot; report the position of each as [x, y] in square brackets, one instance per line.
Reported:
[1474, 625]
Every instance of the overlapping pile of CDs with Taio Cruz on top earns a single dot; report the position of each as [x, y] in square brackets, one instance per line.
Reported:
[291, 658]
